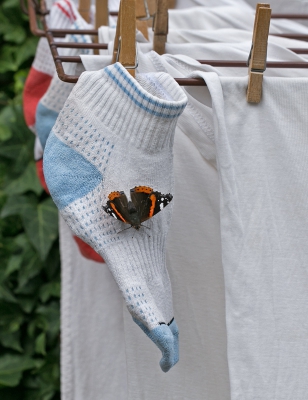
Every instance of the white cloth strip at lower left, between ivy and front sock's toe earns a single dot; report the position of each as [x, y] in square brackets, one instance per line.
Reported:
[93, 359]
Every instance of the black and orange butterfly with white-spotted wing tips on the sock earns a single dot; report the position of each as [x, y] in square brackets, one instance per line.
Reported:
[145, 203]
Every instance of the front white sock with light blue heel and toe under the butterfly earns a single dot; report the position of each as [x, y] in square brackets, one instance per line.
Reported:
[115, 133]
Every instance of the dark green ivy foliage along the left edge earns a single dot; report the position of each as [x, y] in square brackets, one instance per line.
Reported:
[29, 253]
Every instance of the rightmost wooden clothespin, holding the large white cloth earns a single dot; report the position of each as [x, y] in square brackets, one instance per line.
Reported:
[258, 53]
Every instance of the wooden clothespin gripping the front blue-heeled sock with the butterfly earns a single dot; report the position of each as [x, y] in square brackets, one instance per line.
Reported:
[125, 38]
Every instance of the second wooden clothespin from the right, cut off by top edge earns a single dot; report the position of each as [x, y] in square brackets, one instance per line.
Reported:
[160, 27]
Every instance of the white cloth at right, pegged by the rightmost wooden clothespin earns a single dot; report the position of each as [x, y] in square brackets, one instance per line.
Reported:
[262, 162]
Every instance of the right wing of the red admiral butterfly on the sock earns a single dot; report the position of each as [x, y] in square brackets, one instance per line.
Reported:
[148, 202]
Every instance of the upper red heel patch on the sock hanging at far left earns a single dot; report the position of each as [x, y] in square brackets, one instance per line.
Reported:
[36, 86]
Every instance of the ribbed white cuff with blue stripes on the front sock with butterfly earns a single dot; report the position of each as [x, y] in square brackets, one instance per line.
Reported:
[144, 110]
